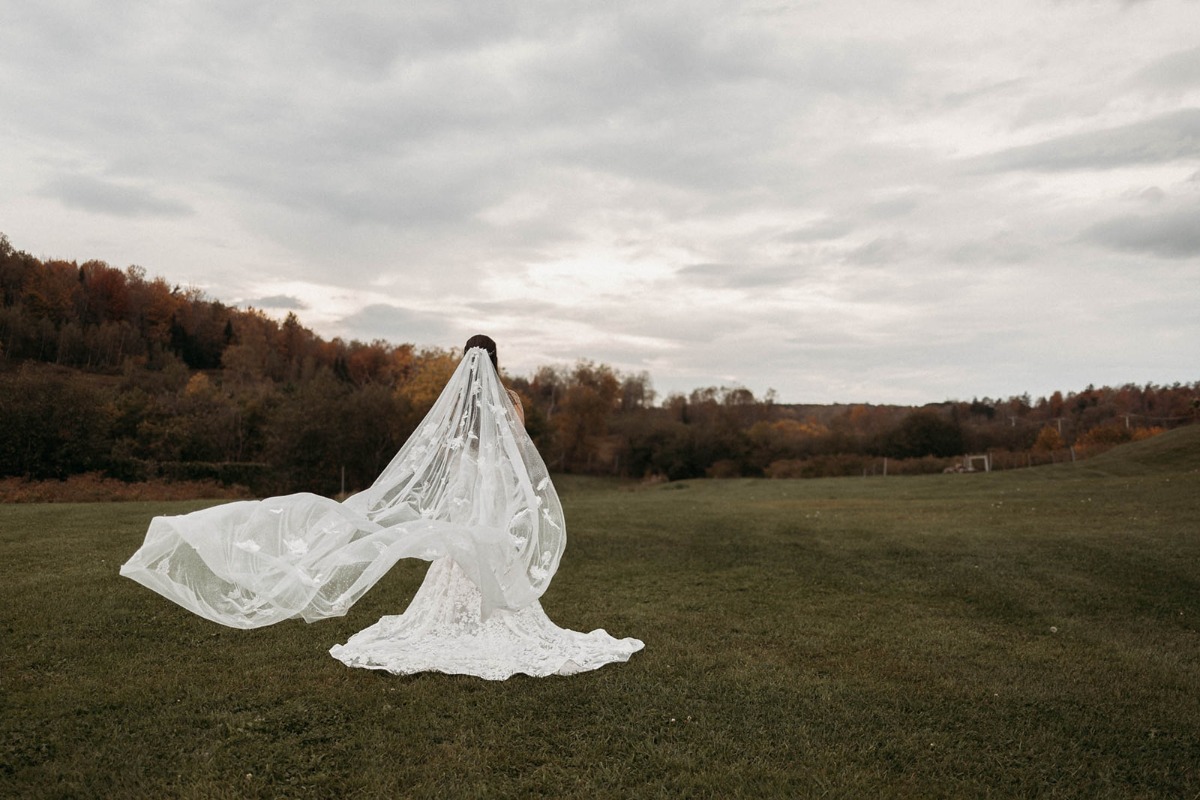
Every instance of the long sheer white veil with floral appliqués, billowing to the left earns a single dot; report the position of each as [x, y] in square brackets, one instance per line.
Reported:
[469, 485]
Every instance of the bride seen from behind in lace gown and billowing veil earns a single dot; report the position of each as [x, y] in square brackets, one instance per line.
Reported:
[467, 492]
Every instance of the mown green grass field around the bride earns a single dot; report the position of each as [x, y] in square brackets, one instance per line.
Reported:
[1025, 634]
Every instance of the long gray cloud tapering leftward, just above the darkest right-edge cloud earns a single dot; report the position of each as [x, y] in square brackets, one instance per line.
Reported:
[1161, 140]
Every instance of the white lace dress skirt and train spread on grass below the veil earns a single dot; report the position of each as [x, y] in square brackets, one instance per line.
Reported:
[443, 631]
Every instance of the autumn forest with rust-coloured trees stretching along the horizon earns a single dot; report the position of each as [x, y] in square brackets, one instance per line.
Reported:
[113, 371]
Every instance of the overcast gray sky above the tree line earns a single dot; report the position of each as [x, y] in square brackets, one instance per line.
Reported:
[885, 202]
